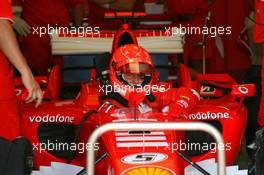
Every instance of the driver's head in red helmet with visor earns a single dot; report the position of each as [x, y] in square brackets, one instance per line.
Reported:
[132, 66]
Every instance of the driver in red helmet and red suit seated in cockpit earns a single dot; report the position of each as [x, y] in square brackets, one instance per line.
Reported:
[134, 84]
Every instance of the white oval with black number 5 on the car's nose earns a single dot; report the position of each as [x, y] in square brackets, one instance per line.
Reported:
[144, 158]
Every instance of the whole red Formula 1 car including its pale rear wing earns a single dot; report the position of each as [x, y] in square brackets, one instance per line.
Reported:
[59, 129]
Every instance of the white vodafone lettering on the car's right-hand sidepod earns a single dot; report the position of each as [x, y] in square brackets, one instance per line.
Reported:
[209, 115]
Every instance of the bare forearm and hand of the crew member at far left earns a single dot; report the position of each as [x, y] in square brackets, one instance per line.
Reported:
[9, 47]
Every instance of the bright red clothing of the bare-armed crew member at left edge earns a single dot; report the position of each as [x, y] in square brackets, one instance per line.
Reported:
[9, 120]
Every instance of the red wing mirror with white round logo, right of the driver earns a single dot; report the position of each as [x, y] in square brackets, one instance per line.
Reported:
[243, 90]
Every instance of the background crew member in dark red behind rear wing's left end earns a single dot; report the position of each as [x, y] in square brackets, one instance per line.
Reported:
[41, 13]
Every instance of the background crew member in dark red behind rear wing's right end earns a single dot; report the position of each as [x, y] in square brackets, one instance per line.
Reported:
[192, 13]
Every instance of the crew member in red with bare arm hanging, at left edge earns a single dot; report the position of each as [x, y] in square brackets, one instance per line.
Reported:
[10, 53]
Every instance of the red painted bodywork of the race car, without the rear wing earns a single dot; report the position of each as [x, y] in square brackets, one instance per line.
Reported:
[56, 122]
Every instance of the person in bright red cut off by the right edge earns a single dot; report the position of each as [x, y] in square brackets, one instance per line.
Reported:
[259, 38]
